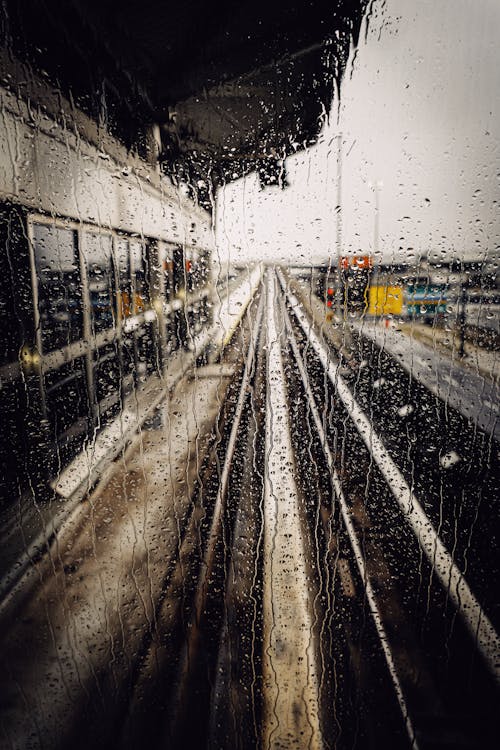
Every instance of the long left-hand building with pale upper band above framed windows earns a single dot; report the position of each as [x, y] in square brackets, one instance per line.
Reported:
[94, 248]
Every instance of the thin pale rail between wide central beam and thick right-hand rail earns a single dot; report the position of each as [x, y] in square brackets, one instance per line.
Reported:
[356, 548]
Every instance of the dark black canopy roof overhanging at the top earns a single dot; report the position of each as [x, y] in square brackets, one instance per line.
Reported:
[234, 87]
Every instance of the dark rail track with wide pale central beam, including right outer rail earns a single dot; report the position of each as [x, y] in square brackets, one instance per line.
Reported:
[338, 618]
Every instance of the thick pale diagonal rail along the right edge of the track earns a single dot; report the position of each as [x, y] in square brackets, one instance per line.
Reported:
[440, 559]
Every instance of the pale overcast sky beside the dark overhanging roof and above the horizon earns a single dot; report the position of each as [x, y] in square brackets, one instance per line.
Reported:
[420, 116]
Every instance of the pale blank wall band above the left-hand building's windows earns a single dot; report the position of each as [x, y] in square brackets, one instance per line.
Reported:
[47, 165]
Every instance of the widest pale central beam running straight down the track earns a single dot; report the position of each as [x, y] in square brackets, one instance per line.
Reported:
[290, 680]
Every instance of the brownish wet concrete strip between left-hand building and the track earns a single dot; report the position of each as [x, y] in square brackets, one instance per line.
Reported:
[105, 607]
